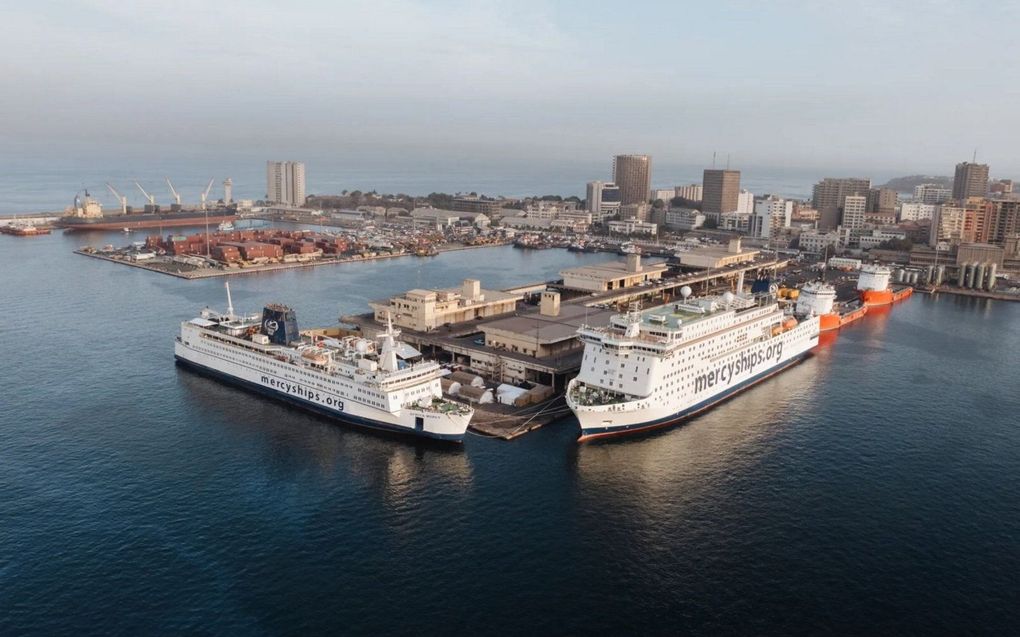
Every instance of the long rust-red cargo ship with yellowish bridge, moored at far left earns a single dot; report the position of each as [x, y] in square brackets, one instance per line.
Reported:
[87, 215]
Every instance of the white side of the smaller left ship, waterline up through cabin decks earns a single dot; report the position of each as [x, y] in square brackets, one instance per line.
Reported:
[279, 380]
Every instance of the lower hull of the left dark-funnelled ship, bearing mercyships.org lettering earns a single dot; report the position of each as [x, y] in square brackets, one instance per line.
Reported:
[436, 427]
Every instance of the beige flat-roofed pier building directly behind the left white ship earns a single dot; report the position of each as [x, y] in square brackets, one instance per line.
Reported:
[426, 310]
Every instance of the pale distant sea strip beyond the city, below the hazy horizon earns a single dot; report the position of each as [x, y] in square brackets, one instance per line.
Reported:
[49, 186]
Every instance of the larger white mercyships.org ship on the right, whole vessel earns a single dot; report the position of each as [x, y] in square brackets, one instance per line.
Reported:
[653, 368]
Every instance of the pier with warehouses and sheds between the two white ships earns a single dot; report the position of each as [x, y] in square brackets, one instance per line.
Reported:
[515, 357]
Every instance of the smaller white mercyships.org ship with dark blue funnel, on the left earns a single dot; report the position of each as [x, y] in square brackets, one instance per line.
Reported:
[383, 386]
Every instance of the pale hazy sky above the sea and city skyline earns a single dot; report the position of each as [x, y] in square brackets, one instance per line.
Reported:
[858, 87]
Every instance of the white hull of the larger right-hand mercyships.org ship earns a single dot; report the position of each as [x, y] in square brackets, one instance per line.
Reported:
[679, 386]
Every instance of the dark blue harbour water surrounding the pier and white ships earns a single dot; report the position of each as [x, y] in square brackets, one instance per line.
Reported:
[873, 490]
